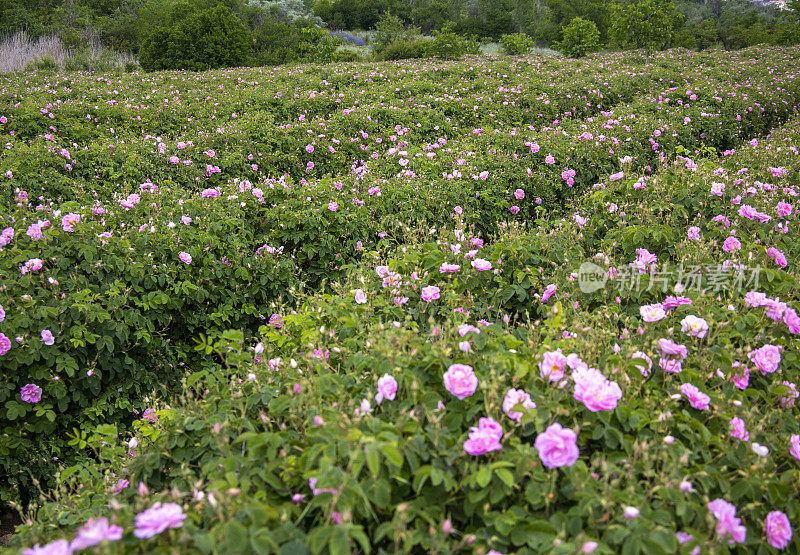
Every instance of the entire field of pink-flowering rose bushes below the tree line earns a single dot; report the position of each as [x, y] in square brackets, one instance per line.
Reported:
[494, 305]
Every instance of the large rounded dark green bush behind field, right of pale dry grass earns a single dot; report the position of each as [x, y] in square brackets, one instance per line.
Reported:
[197, 40]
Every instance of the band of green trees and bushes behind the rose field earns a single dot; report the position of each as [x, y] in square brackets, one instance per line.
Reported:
[259, 32]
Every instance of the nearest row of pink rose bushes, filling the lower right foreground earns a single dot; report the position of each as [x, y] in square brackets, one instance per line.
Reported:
[239, 451]
